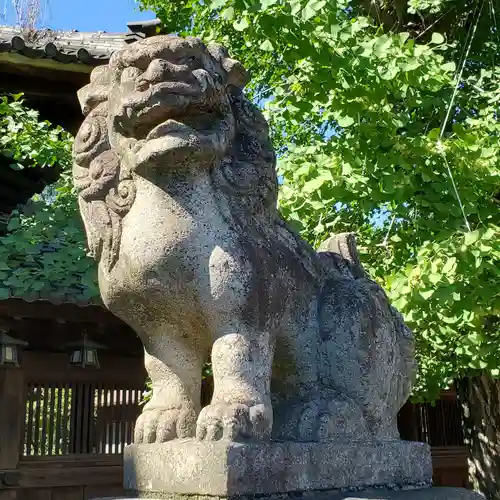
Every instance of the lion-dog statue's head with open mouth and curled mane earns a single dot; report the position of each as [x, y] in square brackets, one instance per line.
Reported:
[174, 103]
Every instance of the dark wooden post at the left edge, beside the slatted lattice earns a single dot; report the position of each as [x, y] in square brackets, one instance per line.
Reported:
[12, 410]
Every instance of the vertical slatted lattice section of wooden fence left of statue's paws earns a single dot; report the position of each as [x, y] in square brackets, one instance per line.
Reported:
[64, 418]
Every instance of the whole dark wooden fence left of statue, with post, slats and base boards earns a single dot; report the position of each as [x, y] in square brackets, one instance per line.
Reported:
[63, 428]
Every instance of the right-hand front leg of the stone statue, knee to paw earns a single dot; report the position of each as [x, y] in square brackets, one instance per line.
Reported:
[241, 404]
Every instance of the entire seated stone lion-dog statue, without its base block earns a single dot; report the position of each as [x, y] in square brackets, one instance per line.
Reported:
[177, 190]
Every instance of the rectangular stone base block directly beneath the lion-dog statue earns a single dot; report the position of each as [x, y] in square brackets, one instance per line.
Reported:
[227, 469]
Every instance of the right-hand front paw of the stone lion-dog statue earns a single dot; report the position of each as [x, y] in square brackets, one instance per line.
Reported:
[234, 421]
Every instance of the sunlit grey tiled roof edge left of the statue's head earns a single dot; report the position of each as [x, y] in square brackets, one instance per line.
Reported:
[65, 47]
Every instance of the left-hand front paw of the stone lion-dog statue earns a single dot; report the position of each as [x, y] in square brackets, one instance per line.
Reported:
[159, 425]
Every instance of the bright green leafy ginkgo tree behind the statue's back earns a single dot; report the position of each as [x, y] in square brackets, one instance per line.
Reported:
[385, 117]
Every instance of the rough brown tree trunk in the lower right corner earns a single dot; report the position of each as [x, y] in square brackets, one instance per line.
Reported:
[480, 401]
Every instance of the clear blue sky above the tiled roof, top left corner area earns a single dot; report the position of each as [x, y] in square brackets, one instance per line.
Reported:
[86, 15]
